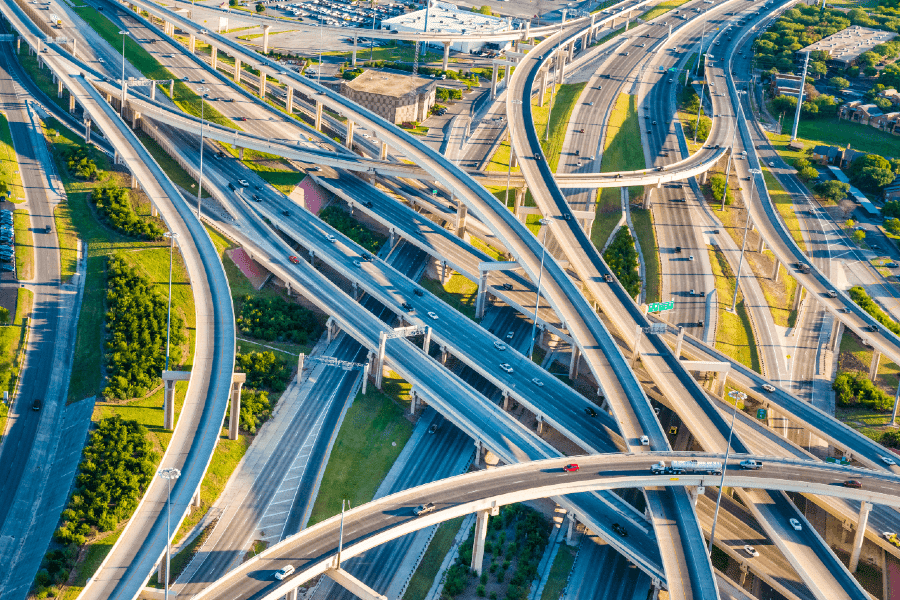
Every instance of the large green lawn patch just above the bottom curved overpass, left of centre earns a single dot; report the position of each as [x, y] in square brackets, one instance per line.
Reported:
[372, 435]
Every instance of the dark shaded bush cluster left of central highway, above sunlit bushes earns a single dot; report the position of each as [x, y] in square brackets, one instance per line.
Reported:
[276, 319]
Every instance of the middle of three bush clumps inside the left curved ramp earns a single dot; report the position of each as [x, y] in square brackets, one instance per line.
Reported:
[136, 332]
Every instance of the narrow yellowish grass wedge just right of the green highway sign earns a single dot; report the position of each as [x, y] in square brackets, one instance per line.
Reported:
[734, 335]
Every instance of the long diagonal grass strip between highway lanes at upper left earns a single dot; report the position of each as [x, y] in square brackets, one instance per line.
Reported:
[185, 98]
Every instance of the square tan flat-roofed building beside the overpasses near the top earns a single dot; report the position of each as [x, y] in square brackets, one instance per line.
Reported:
[395, 97]
